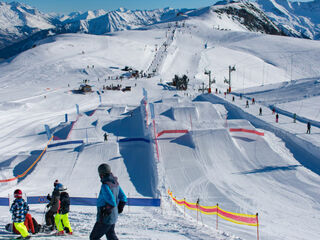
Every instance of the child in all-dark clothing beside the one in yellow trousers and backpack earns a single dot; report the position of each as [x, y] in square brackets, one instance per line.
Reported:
[53, 207]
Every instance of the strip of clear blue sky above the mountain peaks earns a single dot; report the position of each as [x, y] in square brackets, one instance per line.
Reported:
[67, 6]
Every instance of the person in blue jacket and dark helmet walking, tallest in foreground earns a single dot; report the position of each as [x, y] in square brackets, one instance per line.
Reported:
[110, 203]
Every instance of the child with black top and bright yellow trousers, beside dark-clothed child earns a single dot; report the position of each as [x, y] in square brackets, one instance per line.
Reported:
[62, 217]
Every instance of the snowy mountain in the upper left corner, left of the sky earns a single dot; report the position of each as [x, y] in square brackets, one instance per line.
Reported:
[19, 21]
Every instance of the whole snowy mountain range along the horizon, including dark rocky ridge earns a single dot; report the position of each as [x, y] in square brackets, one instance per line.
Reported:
[21, 26]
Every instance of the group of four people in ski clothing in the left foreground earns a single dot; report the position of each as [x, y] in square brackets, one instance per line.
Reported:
[110, 204]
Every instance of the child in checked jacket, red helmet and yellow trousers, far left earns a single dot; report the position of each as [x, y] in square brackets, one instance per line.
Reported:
[19, 208]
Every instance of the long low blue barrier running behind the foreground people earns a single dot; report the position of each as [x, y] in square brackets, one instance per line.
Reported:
[85, 201]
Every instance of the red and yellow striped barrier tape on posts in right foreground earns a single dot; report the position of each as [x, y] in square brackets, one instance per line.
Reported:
[238, 218]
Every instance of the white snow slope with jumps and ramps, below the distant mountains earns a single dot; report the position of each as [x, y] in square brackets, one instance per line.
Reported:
[190, 150]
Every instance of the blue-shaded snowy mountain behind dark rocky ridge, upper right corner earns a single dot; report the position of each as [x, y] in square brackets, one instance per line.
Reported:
[300, 19]
